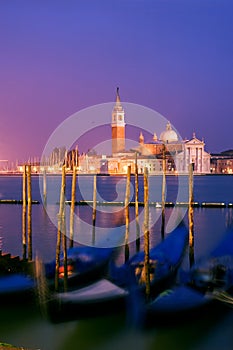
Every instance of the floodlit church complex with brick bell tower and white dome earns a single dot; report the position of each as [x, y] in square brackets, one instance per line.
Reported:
[178, 153]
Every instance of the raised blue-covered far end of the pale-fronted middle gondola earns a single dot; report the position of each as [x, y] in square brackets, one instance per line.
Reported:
[164, 260]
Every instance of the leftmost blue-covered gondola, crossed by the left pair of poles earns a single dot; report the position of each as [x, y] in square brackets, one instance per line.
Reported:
[84, 264]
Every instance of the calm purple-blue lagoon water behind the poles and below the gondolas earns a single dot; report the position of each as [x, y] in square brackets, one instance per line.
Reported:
[25, 326]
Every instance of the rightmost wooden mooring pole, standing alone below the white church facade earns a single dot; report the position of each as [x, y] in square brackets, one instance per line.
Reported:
[190, 216]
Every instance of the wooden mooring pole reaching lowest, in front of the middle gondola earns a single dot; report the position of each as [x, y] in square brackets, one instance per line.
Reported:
[146, 233]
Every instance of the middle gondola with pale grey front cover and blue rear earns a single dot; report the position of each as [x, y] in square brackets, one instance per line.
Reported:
[124, 286]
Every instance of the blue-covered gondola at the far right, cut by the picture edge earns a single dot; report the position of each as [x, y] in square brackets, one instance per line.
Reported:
[205, 288]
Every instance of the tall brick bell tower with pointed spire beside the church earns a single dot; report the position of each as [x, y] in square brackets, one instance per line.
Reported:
[118, 126]
